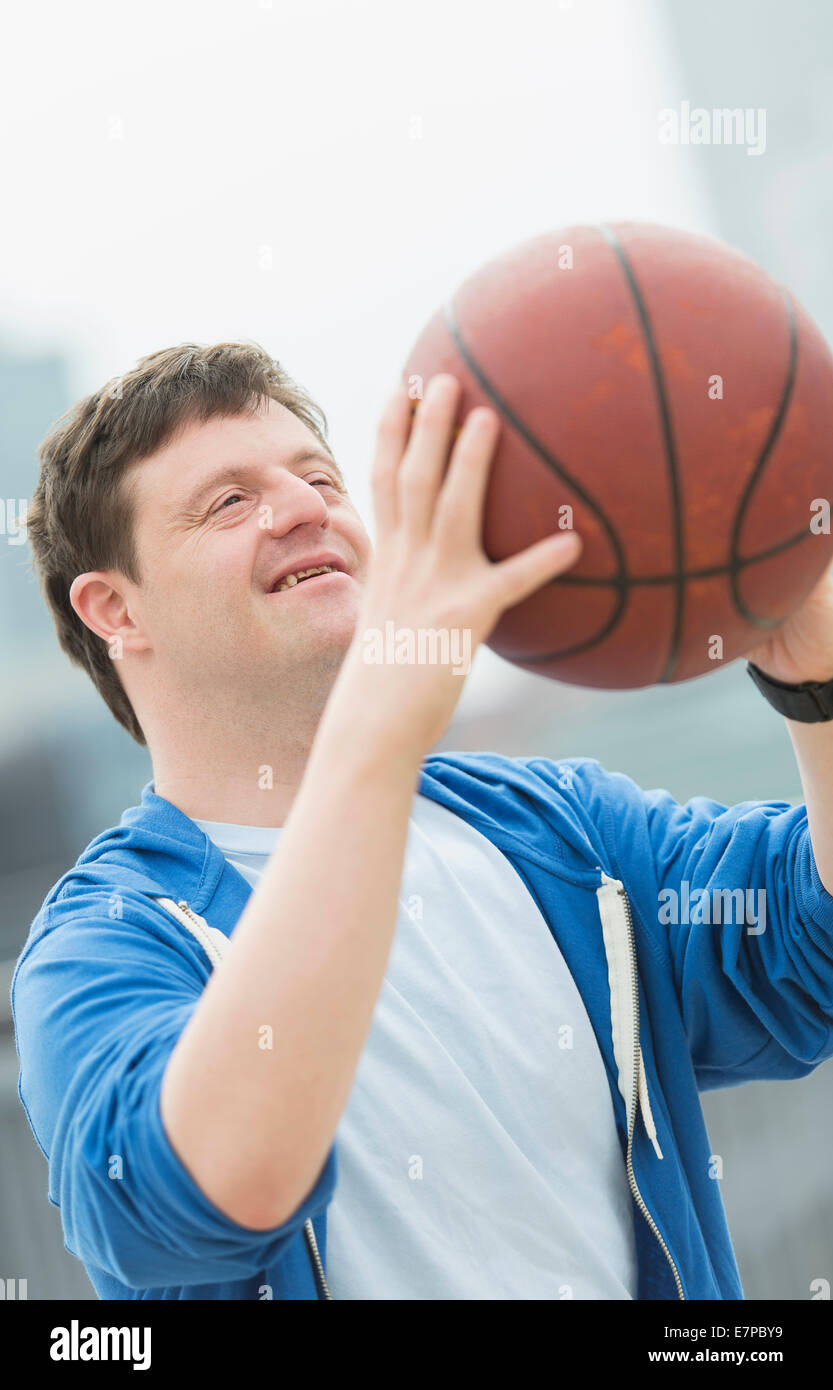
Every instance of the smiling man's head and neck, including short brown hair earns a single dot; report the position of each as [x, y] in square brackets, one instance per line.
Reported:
[208, 529]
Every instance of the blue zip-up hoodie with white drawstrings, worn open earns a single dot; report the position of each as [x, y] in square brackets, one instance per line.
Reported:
[628, 882]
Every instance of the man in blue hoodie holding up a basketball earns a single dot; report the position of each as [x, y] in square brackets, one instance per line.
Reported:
[454, 1043]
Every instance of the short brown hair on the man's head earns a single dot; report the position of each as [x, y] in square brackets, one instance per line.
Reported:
[81, 516]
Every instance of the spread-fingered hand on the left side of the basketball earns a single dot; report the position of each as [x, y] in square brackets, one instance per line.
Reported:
[430, 571]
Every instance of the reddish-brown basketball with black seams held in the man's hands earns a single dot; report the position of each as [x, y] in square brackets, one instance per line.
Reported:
[670, 401]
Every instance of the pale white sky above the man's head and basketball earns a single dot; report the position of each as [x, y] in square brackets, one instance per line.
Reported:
[318, 177]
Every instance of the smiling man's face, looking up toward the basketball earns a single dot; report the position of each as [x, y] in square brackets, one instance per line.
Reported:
[222, 514]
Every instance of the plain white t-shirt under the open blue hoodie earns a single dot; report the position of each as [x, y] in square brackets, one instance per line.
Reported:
[478, 1154]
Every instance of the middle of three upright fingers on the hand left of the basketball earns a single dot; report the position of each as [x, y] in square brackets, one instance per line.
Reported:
[423, 466]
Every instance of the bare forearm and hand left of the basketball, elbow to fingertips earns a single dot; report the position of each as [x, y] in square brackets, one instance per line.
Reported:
[308, 957]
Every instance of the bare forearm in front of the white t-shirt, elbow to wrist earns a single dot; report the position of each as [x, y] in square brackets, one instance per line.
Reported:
[254, 1125]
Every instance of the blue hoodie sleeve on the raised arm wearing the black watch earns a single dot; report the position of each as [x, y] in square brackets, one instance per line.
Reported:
[729, 915]
